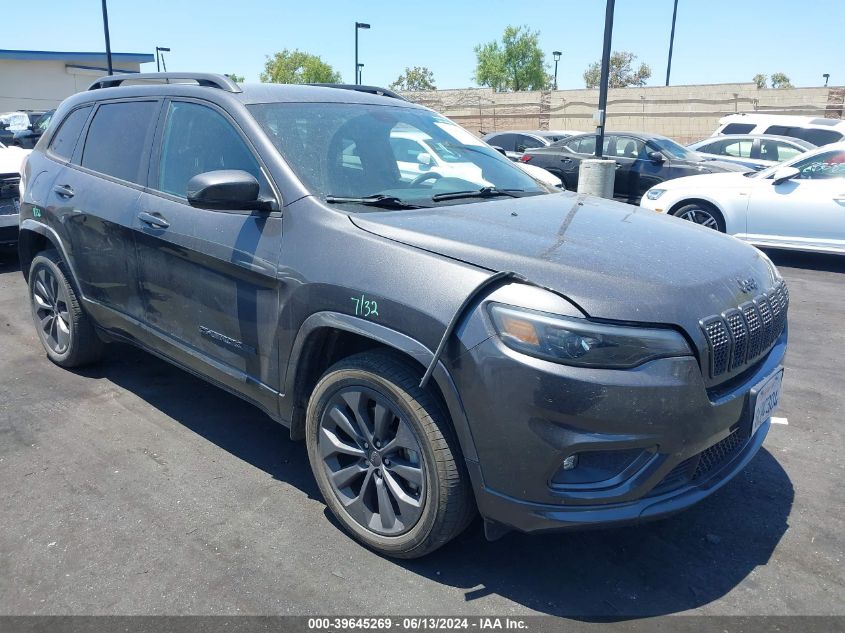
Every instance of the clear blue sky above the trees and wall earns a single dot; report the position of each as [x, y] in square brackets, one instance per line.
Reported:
[716, 40]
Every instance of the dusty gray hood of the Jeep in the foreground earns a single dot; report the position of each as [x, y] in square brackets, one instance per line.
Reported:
[615, 261]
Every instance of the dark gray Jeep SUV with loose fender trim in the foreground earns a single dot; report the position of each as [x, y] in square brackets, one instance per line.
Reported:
[442, 345]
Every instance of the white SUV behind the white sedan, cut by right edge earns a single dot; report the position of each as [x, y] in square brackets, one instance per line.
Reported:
[815, 130]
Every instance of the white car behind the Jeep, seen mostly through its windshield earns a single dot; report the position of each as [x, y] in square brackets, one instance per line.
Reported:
[421, 158]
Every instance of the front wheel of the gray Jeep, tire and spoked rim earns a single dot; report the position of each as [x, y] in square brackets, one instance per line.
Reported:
[386, 458]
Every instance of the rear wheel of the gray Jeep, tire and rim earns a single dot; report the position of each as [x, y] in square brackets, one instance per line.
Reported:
[52, 296]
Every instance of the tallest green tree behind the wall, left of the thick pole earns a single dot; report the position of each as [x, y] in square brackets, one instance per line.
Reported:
[515, 63]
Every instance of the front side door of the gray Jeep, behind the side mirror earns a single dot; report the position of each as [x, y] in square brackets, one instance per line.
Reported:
[208, 277]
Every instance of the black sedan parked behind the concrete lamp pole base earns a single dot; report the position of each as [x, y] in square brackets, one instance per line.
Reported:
[642, 161]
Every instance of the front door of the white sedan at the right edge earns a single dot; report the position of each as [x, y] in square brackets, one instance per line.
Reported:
[807, 211]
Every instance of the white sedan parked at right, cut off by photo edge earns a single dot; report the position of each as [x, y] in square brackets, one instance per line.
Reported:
[799, 204]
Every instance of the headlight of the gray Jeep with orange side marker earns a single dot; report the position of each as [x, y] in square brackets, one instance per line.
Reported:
[573, 341]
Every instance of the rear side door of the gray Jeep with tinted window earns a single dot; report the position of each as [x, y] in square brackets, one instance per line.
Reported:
[96, 196]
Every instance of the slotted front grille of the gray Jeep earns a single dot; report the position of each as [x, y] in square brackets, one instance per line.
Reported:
[739, 336]
